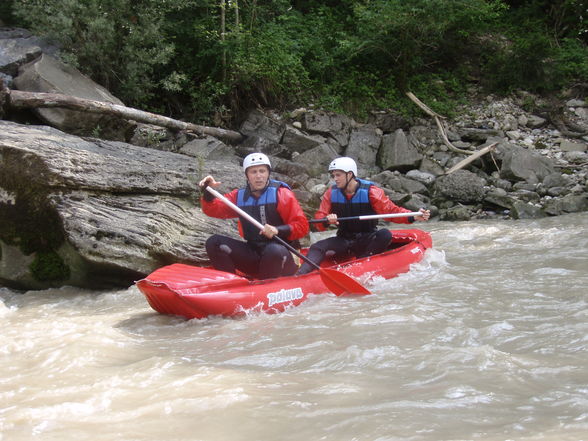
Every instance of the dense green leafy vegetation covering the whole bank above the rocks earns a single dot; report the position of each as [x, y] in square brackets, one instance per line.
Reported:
[209, 60]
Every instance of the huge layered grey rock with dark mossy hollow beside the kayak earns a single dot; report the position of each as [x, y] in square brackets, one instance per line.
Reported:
[89, 213]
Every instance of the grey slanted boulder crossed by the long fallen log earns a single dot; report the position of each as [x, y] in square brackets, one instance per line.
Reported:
[47, 74]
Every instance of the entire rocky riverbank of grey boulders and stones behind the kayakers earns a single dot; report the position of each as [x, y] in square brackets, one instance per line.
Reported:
[89, 201]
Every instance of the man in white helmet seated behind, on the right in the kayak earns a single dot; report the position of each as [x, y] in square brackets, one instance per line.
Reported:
[351, 196]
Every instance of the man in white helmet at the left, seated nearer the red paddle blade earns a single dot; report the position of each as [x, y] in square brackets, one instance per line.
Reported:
[273, 204]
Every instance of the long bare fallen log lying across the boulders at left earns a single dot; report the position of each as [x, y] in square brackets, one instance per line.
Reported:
[18, 99]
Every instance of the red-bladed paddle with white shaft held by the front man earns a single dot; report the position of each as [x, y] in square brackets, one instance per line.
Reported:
[335, 281]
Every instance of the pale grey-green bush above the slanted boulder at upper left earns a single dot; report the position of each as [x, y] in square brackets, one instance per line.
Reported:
[117, 42]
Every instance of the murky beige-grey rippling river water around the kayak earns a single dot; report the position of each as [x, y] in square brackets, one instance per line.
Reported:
[485, 339]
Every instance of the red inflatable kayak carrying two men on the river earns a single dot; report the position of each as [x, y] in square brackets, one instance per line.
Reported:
[196, 292]
